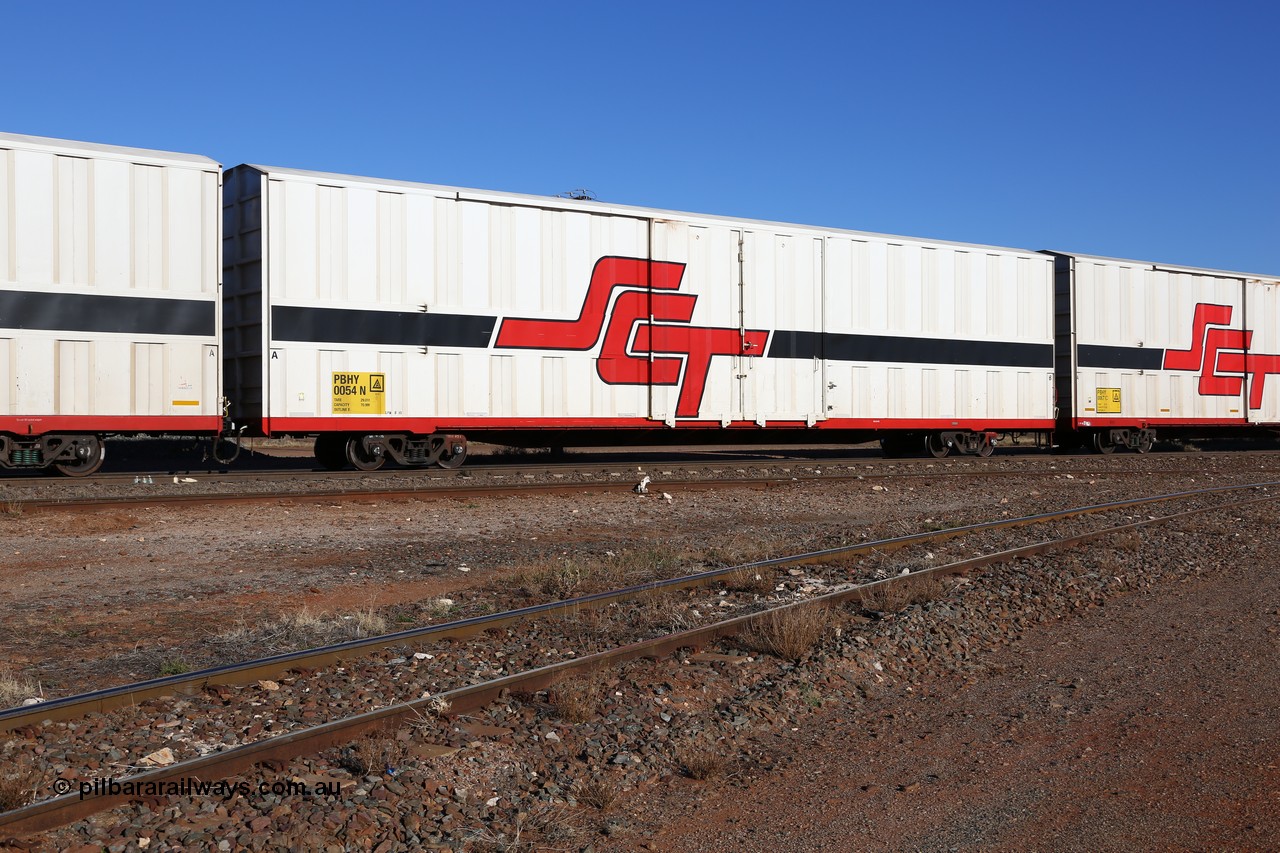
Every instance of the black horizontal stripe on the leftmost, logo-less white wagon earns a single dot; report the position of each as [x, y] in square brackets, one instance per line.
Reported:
[120, 314]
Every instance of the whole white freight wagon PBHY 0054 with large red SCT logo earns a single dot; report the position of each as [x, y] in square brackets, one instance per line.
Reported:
[396, 320]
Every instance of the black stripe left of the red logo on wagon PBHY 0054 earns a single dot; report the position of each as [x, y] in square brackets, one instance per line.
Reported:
[390, 329]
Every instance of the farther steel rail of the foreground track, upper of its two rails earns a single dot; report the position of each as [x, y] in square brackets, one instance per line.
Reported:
[269, 668]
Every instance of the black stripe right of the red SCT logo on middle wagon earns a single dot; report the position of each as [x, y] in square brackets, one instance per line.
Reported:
[884, 348]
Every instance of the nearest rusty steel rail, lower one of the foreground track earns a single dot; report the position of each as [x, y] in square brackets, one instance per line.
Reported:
[67, 809]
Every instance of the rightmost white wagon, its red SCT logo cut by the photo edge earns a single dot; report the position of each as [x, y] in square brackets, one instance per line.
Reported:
[1177, 349]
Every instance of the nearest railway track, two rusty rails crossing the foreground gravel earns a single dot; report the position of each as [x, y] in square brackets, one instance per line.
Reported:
[461, 699]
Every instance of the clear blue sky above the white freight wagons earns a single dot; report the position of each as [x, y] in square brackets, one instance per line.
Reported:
[1135, 130]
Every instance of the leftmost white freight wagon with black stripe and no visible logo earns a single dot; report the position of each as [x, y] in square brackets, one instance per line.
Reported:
[109, 299]
